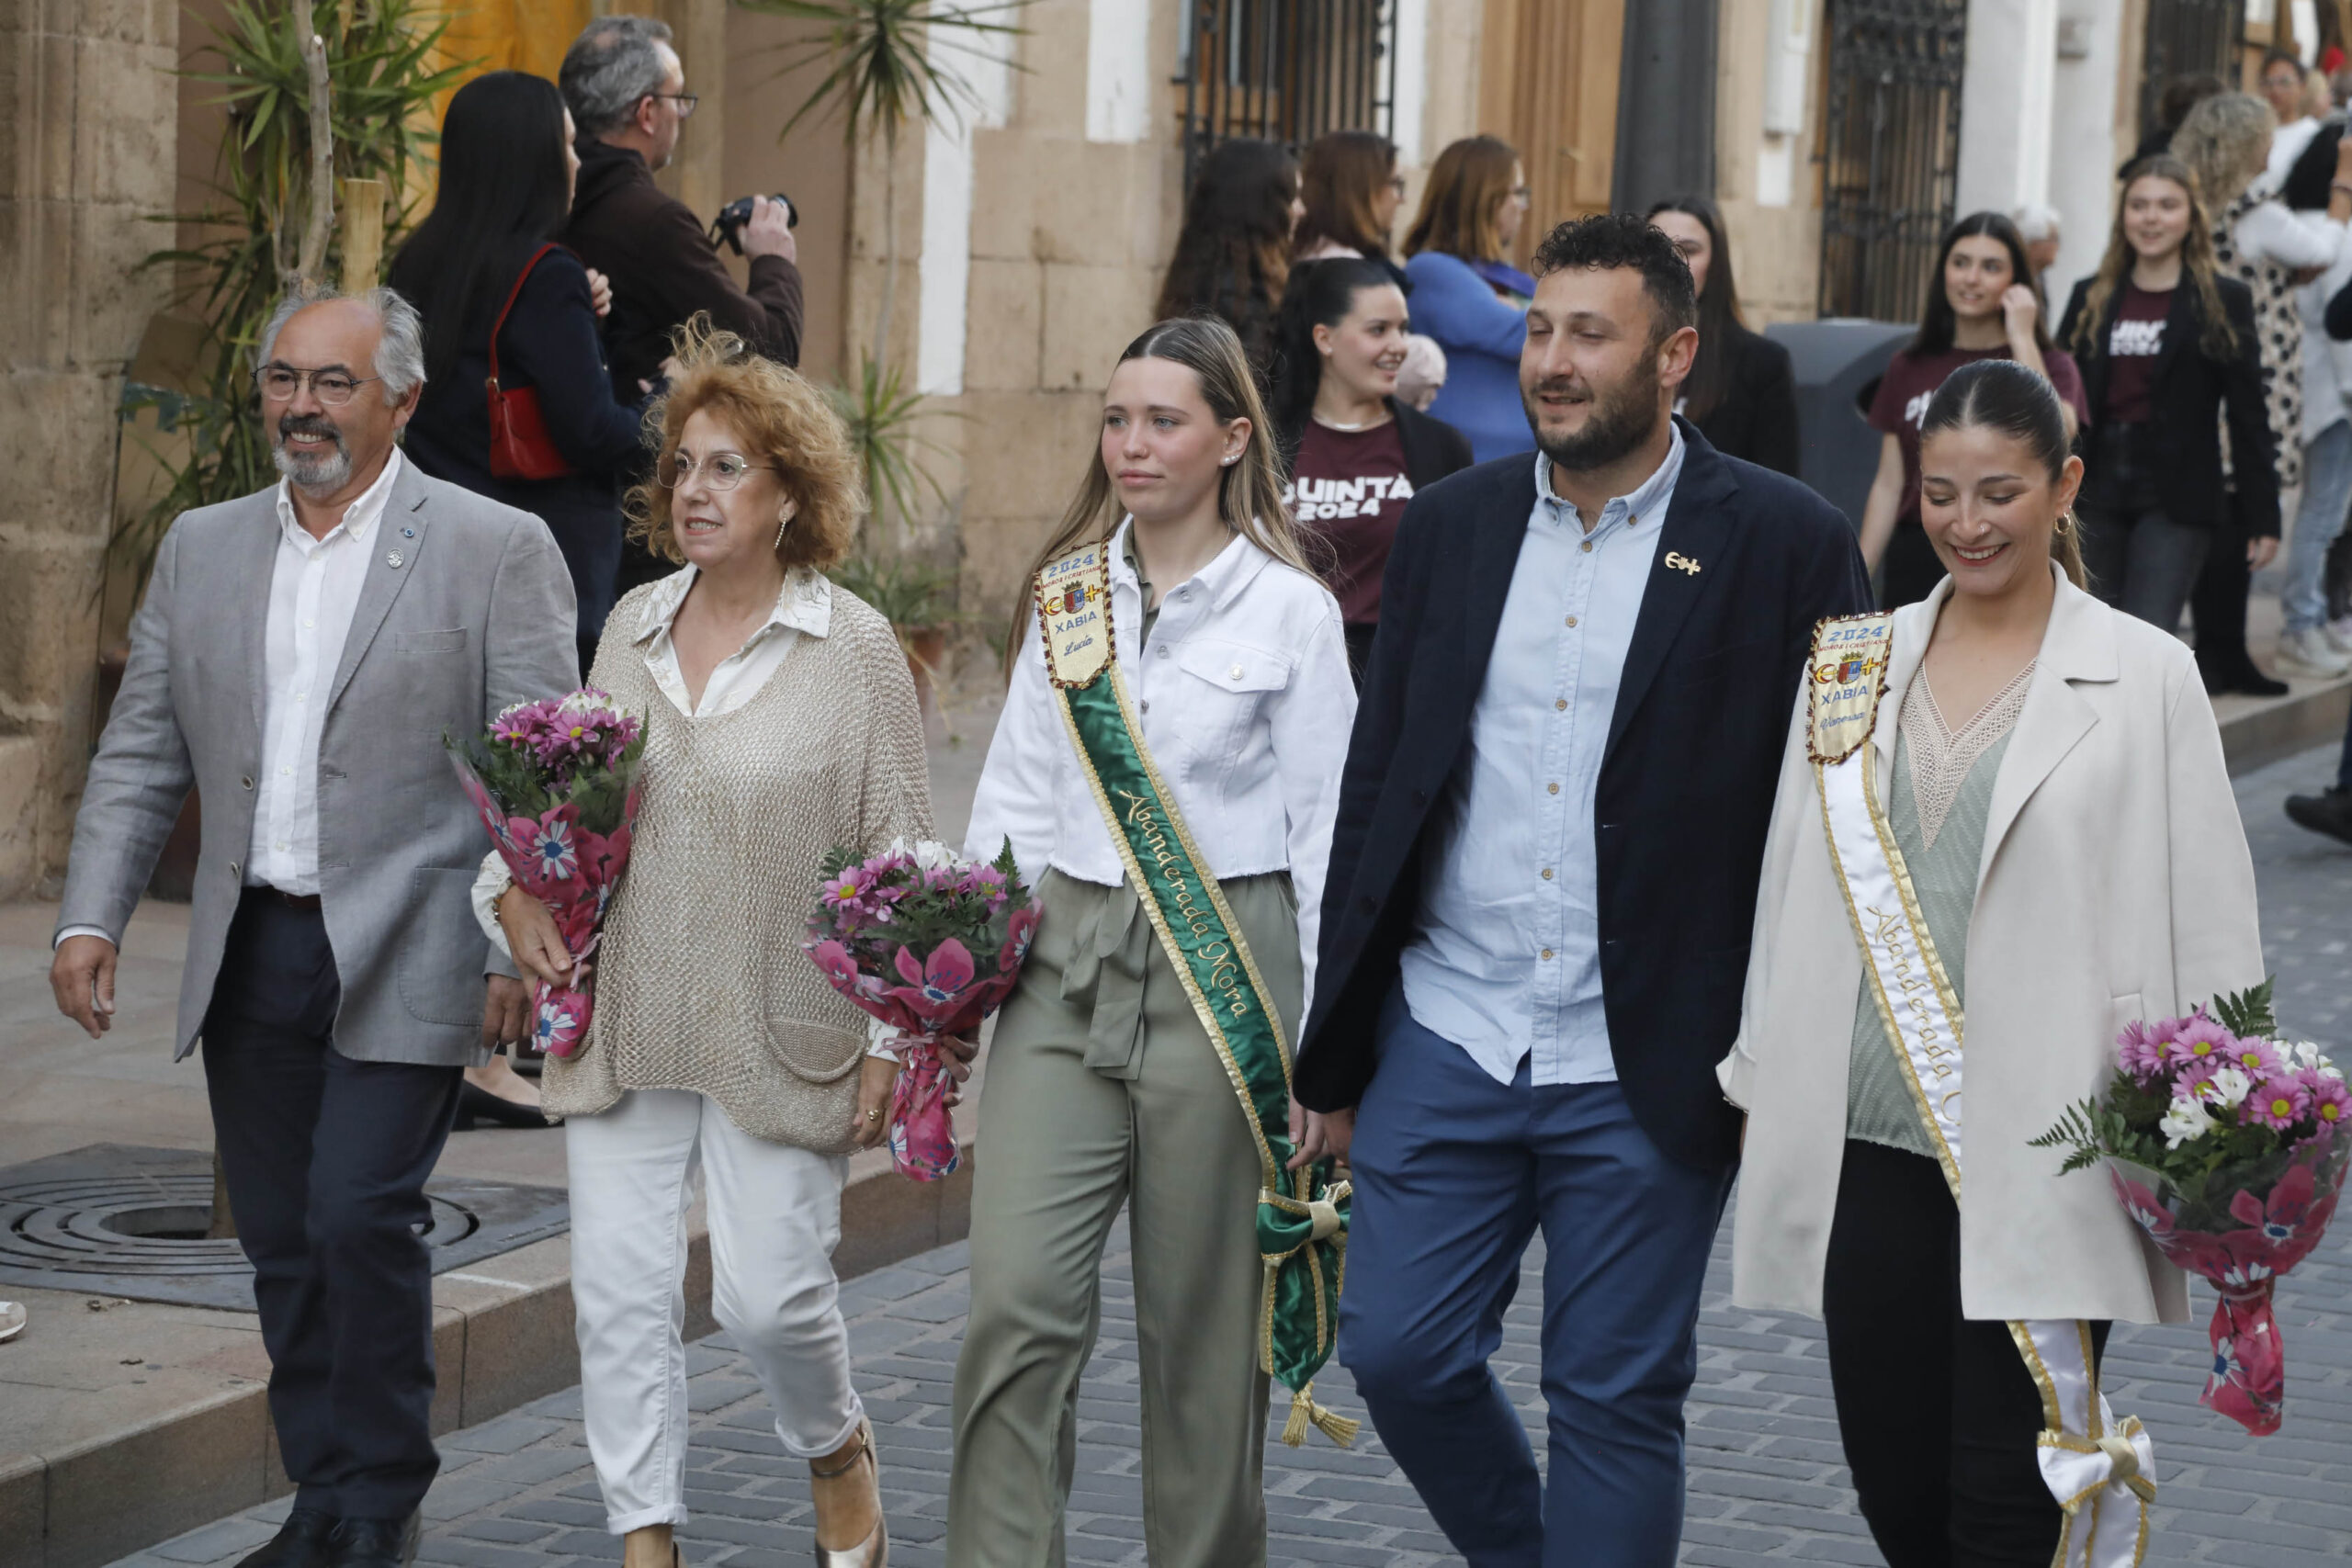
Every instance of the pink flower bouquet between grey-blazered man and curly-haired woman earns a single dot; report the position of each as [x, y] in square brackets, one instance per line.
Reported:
[556, 784]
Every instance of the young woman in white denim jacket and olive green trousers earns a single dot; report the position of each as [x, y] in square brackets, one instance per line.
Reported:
[1104, 1087]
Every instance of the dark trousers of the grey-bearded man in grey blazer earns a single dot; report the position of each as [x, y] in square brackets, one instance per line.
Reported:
[326, 1165]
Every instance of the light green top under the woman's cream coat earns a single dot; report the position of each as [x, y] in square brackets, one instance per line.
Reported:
[1937, 808]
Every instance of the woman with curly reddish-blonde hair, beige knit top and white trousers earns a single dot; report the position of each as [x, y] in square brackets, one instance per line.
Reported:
[780, 723]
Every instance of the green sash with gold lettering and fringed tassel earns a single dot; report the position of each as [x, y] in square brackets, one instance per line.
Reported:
[1302, 1214]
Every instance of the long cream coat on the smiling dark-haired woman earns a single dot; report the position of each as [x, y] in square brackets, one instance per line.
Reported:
[2116, 885]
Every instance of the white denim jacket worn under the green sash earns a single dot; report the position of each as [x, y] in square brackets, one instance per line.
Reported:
[1245, 702]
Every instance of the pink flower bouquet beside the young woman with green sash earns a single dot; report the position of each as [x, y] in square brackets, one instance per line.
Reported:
[930, 946]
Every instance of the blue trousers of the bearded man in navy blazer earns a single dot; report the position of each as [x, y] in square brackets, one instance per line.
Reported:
[1452, 1177]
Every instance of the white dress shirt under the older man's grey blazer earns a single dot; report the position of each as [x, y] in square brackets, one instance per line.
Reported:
[314, 594]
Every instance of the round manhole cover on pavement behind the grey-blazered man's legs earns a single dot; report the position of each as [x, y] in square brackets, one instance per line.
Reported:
[131, 1221]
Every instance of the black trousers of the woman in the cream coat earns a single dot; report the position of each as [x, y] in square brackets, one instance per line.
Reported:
[1937, 1412]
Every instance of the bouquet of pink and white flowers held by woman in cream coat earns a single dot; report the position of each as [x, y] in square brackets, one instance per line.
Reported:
[2229, 1146]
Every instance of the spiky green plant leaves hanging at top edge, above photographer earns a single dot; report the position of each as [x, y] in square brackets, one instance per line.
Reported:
[876, 67]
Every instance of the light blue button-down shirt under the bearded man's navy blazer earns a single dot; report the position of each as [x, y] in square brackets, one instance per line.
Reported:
[1509, 956]
